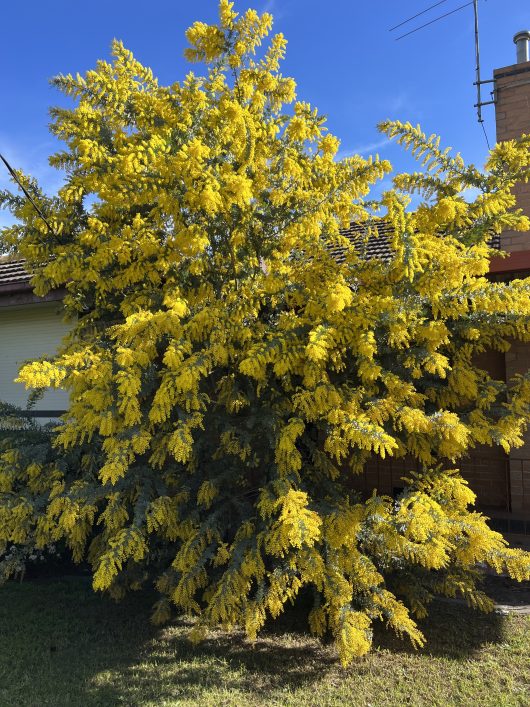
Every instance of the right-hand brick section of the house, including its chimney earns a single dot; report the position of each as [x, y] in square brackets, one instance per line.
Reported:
[501, 481]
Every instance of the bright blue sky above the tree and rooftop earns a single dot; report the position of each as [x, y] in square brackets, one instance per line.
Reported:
[340, 52]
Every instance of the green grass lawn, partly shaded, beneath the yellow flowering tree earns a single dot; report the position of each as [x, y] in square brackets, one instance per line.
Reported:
[63, 645]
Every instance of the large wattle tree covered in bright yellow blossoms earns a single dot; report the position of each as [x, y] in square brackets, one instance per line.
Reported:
[229, 375]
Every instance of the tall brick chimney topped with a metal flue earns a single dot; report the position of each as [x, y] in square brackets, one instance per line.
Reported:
[512, 114]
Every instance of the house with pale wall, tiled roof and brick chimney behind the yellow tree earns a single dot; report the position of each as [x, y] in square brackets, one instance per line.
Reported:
[30, 327]
